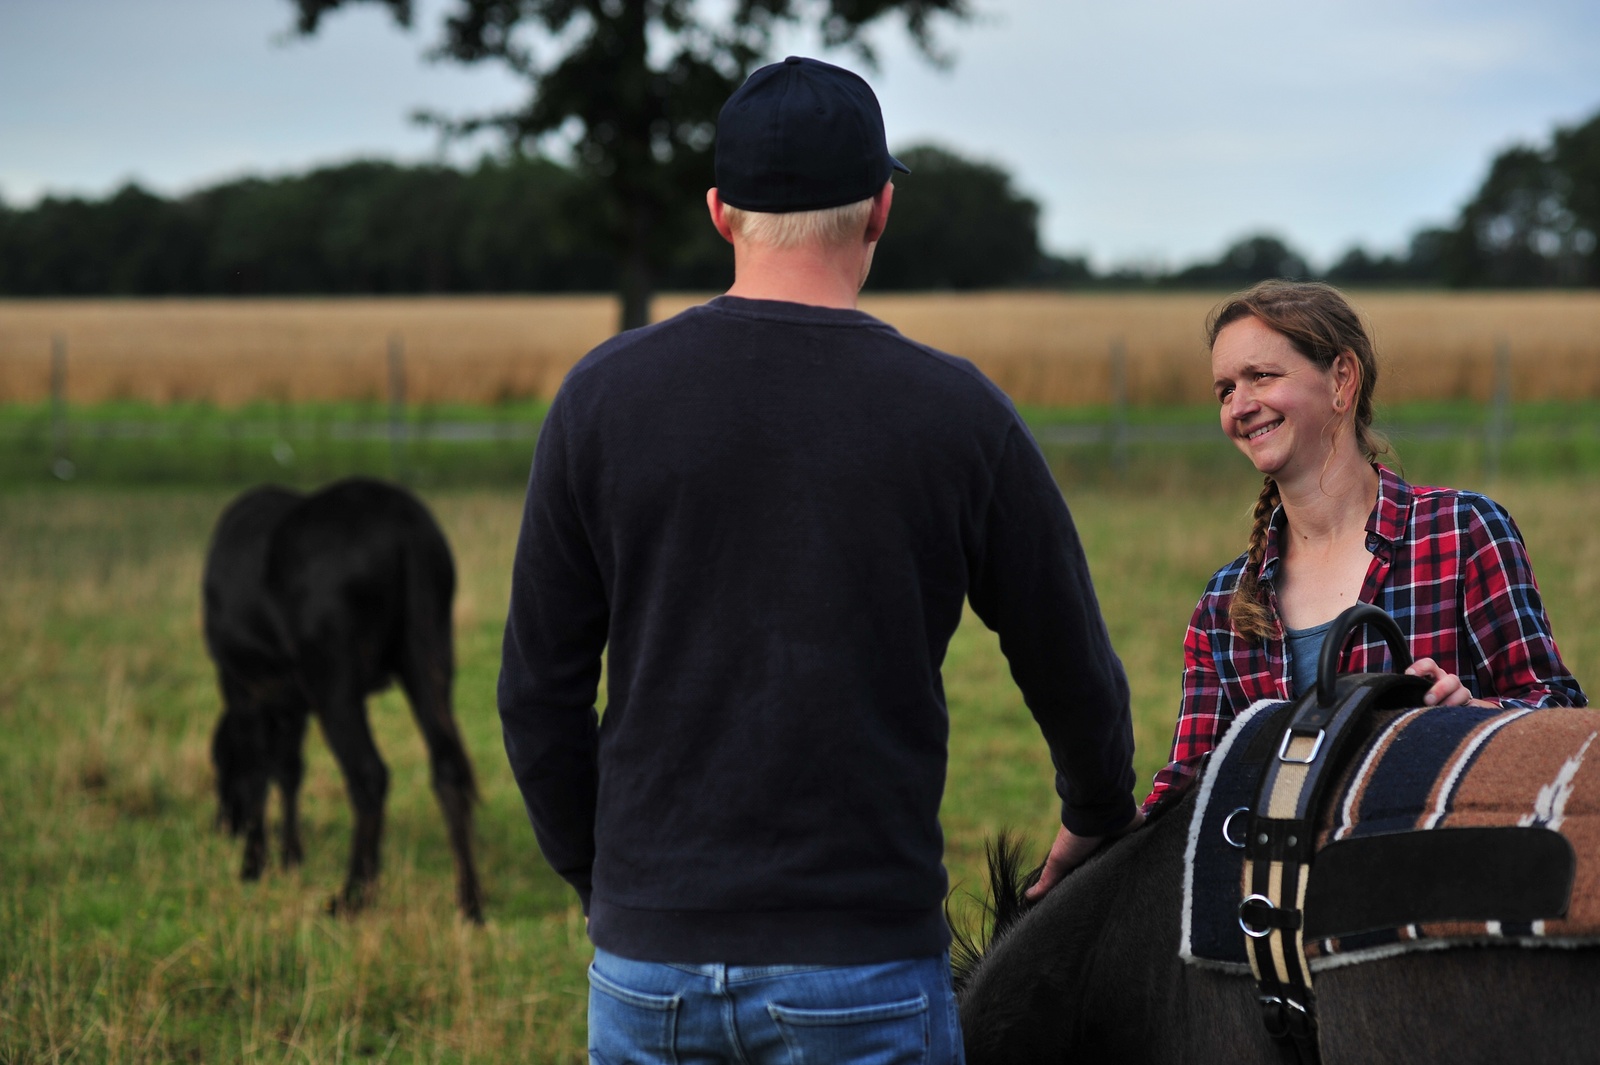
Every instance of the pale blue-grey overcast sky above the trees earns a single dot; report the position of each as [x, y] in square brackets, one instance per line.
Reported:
[1151, 132]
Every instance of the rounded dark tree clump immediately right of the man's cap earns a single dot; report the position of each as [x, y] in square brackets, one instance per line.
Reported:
[956, 225]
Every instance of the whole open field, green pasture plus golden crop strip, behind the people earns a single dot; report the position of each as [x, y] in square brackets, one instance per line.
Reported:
[126, 935]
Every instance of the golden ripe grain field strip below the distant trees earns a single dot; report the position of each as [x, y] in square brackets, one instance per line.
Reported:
[1046, 349]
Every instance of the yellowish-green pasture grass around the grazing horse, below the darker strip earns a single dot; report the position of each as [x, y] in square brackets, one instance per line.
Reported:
[126, 935]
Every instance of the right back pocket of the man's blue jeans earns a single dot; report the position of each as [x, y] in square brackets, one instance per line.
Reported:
[892, 1034]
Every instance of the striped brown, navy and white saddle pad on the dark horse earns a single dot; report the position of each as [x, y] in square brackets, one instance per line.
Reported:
[1418, 770]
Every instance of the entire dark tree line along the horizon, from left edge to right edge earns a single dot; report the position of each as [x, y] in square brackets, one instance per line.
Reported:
[529, 225]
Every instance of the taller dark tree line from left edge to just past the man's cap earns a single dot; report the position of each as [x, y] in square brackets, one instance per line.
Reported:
[514, 225]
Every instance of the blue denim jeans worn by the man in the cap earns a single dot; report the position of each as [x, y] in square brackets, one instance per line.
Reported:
[647, 1013]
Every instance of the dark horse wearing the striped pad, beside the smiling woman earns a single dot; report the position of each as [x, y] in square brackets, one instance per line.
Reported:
[1092, 975]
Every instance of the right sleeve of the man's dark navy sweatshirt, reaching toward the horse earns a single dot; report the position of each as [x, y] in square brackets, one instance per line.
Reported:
[1031, 584]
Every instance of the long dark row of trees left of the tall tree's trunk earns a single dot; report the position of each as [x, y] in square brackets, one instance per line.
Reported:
[514, 225]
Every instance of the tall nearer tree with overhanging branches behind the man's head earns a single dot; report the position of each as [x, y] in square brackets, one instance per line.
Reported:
[641, 82]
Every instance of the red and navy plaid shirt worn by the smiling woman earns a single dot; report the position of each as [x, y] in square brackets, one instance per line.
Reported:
[1449, 567]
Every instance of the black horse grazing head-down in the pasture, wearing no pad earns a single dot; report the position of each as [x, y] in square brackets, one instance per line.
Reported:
[311, 605]
